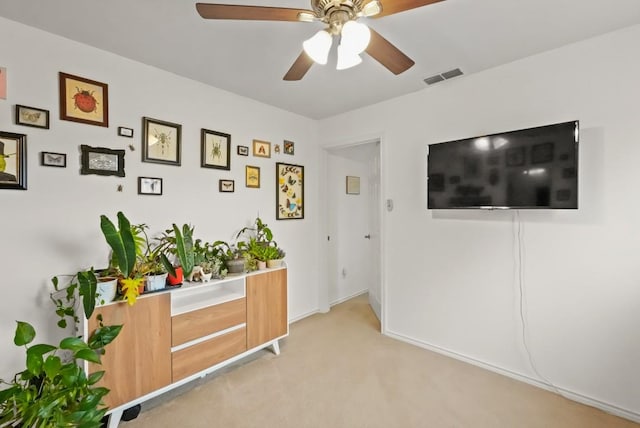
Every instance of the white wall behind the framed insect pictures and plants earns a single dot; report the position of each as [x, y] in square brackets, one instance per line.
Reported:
[53, 227]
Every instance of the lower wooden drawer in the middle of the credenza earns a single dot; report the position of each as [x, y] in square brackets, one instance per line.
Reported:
[203, 355]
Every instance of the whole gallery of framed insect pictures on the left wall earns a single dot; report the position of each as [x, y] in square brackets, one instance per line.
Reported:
[86, 101]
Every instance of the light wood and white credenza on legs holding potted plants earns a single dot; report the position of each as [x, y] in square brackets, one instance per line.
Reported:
[170, 338]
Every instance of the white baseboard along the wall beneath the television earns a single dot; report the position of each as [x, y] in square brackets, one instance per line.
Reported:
[571, 395]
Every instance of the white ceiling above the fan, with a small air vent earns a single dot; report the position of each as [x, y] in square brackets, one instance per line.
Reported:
[250, 58]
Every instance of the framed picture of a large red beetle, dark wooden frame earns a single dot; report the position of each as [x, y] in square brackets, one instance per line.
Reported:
[84, 100]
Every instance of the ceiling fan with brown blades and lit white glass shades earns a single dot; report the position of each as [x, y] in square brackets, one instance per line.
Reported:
[340, 17]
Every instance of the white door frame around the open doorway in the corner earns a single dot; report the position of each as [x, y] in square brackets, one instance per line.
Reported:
[323, 296]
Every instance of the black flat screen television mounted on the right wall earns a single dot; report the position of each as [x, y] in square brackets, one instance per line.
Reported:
[528, 168]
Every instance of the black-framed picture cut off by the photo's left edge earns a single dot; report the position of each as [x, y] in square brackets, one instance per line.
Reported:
[13, 161]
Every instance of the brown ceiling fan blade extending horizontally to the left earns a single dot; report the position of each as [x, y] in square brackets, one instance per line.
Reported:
[252, 13]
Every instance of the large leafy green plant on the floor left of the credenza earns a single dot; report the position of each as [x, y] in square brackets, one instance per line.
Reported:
[50, 392]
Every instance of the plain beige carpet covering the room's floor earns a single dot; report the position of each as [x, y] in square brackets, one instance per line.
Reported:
[336, 370]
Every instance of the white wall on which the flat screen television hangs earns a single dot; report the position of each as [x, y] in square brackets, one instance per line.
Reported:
[451, 276]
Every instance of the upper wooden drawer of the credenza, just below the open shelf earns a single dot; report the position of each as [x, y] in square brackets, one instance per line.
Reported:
[203, 322]
